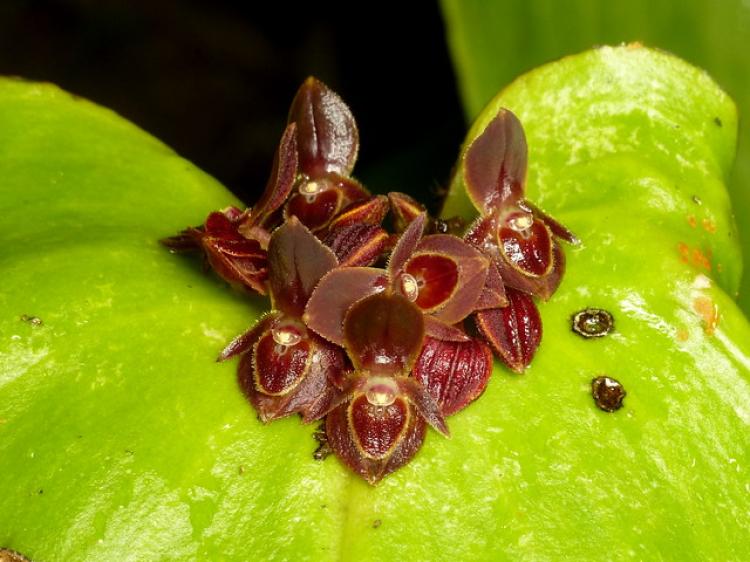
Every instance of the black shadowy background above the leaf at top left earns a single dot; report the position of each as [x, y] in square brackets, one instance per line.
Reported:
[214, 80]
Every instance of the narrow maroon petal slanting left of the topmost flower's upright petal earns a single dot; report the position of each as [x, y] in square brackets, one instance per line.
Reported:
[279, 186]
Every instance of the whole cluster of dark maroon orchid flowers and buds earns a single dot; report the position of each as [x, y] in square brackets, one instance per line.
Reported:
[379, 333]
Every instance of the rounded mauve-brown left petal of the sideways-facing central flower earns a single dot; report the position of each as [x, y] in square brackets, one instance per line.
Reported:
[336, 292]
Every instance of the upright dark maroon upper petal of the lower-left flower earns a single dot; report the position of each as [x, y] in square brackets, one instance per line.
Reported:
[297, 261]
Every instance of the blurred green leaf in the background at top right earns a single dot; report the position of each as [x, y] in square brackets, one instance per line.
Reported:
[493, 42]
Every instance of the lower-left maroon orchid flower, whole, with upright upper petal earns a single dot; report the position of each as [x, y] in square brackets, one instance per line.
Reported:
[285, 368]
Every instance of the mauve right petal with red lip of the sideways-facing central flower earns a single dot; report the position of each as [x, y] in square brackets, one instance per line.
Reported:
[471, 273]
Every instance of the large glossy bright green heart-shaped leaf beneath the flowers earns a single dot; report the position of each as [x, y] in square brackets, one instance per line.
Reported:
[121, 439]
